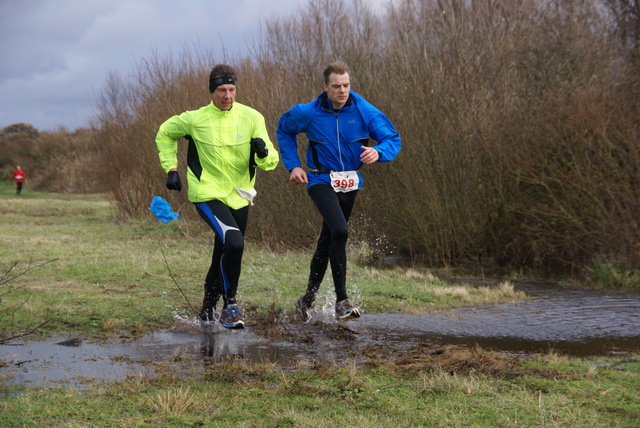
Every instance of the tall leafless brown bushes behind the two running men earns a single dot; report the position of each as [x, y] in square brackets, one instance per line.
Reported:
[519, 124]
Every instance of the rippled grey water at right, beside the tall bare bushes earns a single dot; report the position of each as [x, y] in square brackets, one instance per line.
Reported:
[572, 321]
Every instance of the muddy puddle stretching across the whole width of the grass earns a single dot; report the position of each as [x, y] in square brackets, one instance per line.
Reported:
[569, 321]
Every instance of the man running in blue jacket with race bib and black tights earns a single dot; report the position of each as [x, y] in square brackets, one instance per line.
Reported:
[338, 125]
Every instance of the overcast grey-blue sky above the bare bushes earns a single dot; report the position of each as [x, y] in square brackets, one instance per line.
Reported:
[57, 53]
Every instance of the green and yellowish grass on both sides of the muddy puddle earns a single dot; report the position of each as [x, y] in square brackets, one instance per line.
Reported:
[68, 261]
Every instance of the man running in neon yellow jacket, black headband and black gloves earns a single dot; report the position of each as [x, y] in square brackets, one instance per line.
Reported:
[226, 142]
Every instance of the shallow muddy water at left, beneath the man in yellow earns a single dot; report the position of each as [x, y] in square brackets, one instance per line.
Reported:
[44, 362]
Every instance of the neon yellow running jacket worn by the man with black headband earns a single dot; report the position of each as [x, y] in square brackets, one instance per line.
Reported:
[220, 162]
